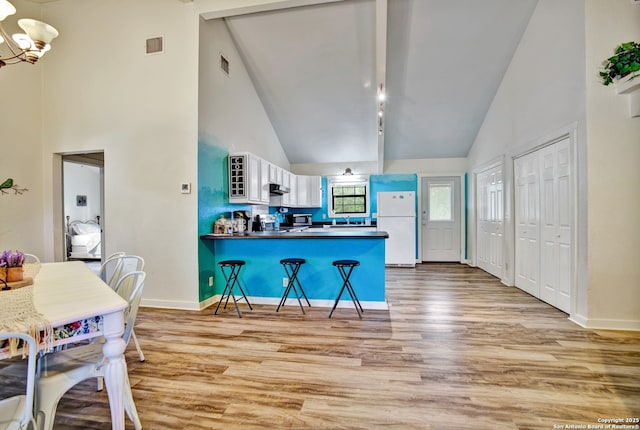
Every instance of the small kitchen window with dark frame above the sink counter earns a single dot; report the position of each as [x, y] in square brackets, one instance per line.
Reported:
[348, 197]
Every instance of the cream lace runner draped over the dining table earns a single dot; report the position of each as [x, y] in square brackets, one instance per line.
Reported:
[18, 314]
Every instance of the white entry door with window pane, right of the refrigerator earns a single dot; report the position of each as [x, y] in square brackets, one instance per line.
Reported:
[440, 218]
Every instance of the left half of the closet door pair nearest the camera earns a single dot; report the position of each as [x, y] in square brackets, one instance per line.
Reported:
[527, 218]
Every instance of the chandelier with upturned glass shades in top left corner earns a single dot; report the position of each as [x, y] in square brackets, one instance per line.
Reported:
[24, 47]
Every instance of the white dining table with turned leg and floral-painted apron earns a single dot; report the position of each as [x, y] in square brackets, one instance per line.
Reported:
[79, 305]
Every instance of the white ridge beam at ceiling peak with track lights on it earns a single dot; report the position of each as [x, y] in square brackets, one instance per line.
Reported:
[381, 74]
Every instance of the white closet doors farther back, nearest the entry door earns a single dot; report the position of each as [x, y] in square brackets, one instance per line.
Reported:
[490, 220]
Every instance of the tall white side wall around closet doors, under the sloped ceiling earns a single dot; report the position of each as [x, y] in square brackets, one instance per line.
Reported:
[541, 97]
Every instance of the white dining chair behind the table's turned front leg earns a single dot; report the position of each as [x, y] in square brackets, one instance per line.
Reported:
[64, 369]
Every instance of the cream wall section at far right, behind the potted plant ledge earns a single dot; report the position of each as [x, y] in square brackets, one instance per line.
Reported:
[614, 176]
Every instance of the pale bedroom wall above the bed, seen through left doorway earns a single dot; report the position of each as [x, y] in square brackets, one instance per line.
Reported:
[82, 179]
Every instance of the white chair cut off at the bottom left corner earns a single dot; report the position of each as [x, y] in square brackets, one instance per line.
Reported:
[16, 412]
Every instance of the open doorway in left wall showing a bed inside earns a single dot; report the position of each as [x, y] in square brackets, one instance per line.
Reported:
[83, 206]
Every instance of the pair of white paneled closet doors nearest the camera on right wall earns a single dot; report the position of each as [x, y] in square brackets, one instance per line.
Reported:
[544, 197]
